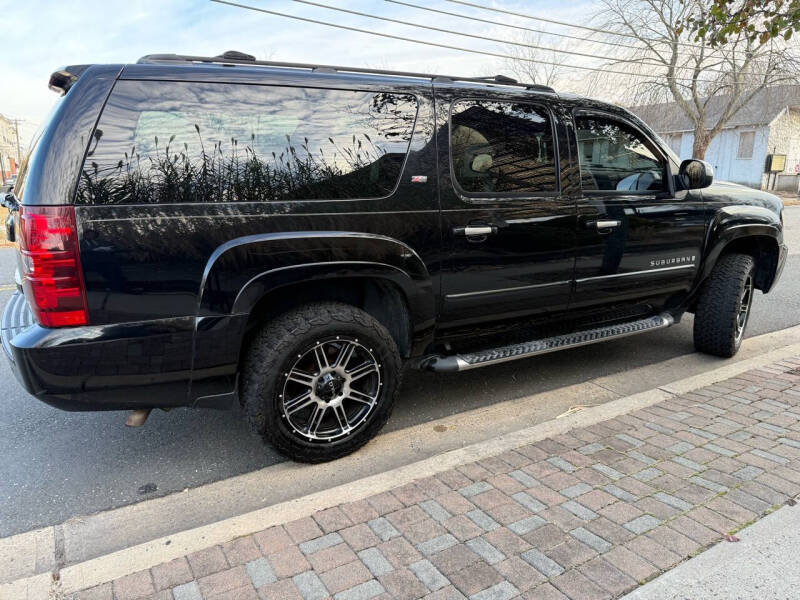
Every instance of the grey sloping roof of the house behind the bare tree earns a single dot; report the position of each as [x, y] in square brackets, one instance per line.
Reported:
[761, 110]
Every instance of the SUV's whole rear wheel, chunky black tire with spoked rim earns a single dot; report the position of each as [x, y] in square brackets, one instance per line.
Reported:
[321, 331]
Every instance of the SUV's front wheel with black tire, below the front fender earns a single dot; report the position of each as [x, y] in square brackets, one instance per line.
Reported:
[718, 326]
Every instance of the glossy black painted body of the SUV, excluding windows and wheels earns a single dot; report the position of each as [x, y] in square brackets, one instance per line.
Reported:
[174, 288]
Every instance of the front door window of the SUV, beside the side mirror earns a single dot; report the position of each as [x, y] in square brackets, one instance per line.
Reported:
[616, 157]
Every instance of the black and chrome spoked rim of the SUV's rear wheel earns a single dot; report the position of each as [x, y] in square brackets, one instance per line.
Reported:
[330, 389]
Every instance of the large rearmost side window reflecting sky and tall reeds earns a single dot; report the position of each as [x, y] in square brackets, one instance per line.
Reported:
[160, 142]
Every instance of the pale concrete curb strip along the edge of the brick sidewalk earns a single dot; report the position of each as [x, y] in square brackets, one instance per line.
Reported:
[142, 556]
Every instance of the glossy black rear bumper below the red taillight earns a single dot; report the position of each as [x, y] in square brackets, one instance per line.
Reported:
[110, 367]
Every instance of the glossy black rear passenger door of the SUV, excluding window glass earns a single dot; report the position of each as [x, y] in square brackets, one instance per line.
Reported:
[526, 267]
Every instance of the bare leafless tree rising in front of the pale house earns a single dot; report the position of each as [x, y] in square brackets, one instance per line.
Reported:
[710, 85]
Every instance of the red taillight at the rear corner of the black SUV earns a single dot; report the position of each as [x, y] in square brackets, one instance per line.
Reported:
[51, 265]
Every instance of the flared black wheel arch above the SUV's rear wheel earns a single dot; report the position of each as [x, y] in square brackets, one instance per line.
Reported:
[263, 275]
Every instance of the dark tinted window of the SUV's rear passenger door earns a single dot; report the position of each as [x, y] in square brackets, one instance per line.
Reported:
[501, 148]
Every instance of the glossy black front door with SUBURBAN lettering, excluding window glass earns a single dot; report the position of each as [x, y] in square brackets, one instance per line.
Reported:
[653, 256]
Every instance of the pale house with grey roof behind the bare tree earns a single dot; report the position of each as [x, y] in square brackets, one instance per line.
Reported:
[768, 124]
